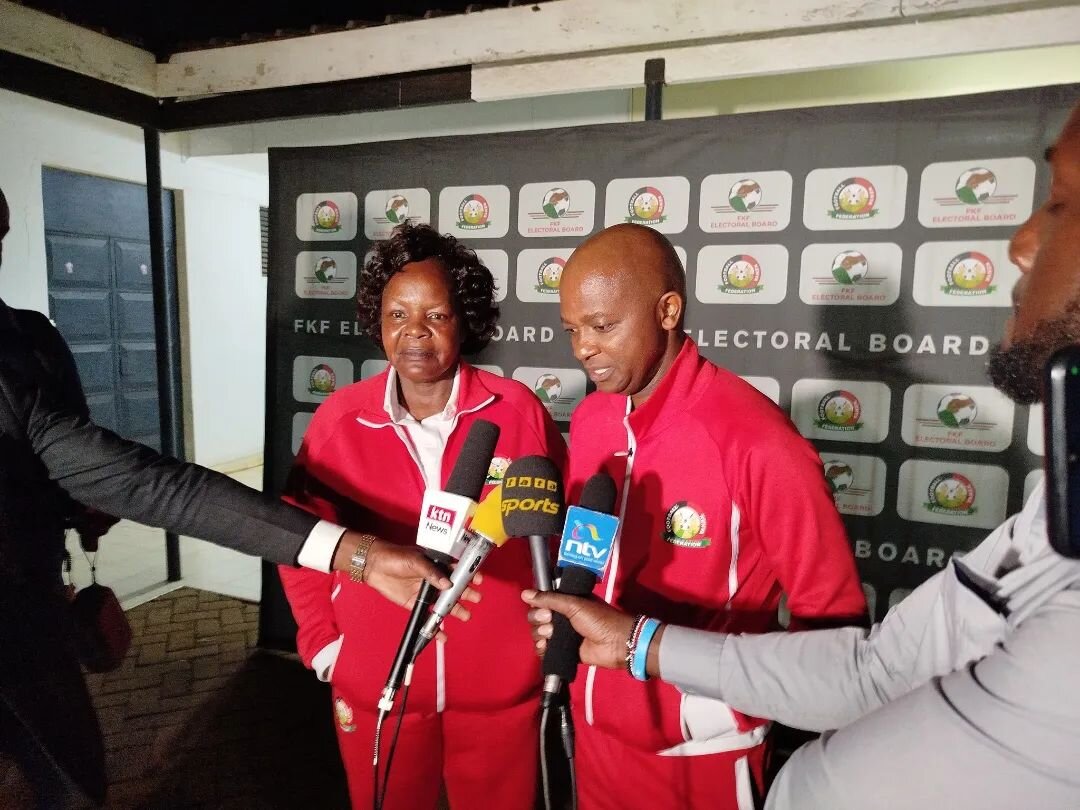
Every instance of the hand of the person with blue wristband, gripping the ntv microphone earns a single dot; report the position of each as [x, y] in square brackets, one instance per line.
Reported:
[604, 629]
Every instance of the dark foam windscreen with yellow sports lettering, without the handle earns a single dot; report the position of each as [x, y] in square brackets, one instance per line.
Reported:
[533, 497]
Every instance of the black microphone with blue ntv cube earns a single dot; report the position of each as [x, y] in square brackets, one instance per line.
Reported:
[584, 555]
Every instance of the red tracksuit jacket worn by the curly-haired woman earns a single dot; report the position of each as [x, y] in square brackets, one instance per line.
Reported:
[357, 468]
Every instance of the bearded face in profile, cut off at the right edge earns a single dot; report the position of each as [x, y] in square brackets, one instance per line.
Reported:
[1047, 298]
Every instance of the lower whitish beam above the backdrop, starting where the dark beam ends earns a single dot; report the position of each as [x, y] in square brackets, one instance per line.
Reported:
[911, 39]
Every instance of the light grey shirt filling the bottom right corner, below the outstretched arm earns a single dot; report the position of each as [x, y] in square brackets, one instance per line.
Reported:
[1000, 734]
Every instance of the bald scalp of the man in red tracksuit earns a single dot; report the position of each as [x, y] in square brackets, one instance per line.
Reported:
[639, 256]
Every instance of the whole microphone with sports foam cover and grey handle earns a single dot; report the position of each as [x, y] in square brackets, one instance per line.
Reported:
[539, 479]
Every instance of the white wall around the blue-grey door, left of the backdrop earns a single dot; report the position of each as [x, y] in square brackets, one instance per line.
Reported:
[222, 288]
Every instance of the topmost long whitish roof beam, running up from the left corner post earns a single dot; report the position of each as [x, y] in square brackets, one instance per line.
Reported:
[530, 33]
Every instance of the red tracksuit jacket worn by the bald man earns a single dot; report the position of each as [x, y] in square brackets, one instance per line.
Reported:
[723, 507]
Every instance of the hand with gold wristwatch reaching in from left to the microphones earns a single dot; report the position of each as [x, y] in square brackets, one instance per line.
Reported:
[397, 572]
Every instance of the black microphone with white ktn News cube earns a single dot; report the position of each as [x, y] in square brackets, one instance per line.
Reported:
[441, 533]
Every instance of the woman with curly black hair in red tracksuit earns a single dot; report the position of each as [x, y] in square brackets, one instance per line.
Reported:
[368, 457]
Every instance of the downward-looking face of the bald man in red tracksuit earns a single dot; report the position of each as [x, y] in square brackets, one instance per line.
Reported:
[615, 330]
